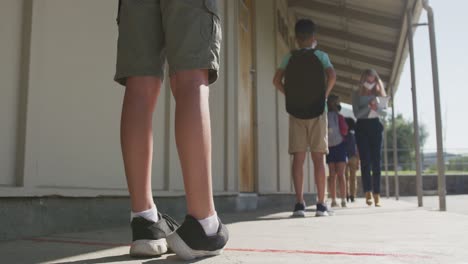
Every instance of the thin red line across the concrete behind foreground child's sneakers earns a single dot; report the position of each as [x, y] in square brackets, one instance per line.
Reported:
[279, 251]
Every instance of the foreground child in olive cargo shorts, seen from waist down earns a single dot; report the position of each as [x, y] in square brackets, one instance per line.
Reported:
[188, 34]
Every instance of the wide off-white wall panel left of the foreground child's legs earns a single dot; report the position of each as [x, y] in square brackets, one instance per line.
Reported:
[74, 106]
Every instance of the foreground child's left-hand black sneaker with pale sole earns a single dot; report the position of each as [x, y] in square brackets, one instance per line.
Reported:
[149, 238]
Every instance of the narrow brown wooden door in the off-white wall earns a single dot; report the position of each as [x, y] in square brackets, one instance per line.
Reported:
[246, 94]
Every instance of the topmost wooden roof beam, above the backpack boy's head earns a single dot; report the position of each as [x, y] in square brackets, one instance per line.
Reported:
[340, 11]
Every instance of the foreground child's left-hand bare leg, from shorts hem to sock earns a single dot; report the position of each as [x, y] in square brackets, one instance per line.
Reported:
[136, 130]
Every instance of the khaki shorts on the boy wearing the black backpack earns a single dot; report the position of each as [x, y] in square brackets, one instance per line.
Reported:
[309, 134]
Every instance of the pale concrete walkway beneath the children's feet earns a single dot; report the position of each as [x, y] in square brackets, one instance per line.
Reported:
[396, 233]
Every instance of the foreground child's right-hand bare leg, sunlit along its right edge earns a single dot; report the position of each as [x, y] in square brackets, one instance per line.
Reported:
[193, 139]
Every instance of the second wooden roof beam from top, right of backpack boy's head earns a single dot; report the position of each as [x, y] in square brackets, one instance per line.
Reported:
[361, 40]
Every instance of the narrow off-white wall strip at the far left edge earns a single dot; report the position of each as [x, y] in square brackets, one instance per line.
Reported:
[10, 54]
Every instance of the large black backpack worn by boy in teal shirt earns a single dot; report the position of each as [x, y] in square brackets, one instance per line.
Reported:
[304, 85]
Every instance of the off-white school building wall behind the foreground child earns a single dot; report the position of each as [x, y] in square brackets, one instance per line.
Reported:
[60, 109]
